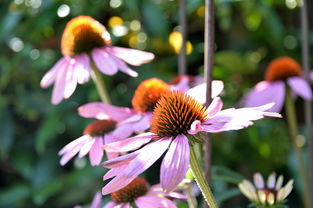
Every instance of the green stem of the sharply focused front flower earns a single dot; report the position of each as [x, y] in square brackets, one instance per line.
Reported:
[204, 187]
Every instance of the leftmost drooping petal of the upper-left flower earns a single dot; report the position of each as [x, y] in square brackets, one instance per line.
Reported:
[50, 76]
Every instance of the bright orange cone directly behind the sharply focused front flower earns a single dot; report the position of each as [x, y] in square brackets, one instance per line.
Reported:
[148, 93]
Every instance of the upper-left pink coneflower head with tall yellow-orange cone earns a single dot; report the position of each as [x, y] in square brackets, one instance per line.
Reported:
[84, 36]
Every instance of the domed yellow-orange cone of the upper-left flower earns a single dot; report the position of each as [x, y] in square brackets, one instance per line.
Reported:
[82, 34]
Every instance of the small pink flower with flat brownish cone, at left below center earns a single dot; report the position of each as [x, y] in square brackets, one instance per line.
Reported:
[95, 135]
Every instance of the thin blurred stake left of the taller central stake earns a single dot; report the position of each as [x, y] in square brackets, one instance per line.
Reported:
[182, 63]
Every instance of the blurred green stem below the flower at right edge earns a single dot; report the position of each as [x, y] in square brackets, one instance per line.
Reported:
[293, 130]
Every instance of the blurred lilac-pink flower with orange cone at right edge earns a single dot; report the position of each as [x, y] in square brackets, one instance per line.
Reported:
[280, 71]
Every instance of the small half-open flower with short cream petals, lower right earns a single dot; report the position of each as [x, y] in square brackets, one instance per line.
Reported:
[269, 194]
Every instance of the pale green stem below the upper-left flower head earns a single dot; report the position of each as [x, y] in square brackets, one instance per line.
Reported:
[97, 79]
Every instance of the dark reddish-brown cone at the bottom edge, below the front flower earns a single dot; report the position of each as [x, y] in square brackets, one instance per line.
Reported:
[138, 187]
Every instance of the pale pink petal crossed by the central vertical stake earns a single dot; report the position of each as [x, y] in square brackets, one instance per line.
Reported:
[199, 92]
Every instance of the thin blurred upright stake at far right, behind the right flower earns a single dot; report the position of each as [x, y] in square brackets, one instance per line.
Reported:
[307, 103]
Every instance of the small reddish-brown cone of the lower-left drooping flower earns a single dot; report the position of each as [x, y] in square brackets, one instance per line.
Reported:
[100, 127]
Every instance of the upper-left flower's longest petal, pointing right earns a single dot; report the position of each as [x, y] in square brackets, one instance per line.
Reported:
[132, 56]
